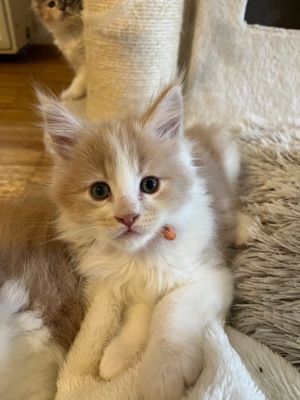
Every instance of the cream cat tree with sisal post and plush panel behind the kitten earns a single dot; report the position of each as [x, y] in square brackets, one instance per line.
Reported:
[235, 69]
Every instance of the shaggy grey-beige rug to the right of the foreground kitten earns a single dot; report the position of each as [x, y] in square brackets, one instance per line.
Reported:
[267, 304]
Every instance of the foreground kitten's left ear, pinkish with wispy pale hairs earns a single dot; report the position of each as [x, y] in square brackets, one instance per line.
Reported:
[58, 123]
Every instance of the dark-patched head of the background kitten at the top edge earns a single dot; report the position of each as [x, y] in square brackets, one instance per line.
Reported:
[53, 12]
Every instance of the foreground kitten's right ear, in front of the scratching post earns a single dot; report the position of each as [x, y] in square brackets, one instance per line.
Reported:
[166, 116]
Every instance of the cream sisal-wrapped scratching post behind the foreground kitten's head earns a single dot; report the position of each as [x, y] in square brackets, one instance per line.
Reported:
[131, 49]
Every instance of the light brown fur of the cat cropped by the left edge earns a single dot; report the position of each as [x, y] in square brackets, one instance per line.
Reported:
[30, 254]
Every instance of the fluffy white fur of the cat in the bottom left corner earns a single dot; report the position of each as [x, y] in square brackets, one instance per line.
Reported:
[29, 361]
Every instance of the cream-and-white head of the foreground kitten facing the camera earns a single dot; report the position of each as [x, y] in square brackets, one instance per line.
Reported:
[119, 182]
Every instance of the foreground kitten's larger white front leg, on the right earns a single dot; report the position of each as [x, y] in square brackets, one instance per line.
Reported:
[173, 358]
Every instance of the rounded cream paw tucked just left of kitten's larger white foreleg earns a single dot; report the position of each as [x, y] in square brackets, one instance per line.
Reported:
[118, 356]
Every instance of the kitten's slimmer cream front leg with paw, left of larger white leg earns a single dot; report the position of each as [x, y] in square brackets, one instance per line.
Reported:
[125, 349]
